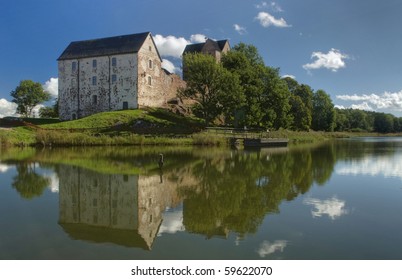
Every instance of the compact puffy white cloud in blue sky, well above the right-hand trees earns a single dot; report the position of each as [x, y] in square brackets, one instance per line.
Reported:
[333, 60]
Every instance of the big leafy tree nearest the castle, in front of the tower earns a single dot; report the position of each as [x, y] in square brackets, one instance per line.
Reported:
[215, 90]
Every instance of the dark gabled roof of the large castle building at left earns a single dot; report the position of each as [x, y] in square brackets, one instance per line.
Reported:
[105, 46]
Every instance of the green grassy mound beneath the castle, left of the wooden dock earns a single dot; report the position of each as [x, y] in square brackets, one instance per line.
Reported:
[129, 127]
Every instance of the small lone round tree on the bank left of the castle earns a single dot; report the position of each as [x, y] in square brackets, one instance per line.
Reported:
[27, 95]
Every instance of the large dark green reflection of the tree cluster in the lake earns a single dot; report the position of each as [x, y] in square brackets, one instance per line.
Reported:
[235, 194]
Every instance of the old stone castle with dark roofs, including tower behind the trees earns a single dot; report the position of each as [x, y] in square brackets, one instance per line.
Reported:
[119, 73]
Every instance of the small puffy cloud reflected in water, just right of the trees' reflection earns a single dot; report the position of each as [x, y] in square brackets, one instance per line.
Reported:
[333, 208]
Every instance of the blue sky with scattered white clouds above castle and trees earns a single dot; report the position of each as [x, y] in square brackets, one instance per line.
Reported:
[349, 48]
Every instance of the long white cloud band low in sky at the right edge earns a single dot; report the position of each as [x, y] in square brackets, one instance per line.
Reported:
[374, 102]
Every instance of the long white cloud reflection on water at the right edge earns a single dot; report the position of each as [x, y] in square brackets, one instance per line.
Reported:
[387, 166]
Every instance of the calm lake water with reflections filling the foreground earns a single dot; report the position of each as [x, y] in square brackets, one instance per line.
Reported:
[336, 200]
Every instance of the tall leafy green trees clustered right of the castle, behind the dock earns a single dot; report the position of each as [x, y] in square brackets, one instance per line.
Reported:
[243, 91]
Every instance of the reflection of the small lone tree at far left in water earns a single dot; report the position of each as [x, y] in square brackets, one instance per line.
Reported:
[28, 183]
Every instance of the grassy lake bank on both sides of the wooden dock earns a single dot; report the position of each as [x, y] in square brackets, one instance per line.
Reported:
[136, 127]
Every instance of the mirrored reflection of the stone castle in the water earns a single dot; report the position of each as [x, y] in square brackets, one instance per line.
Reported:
[121, 209]
